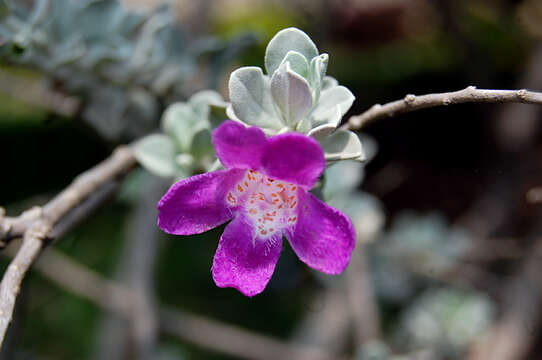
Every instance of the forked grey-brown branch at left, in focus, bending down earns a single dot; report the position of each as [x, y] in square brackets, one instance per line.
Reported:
[36, 225]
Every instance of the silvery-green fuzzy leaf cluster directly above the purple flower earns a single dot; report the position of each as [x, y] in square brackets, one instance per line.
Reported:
[295, 95]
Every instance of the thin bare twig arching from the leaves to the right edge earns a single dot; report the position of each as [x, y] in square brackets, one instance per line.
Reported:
[467, 95]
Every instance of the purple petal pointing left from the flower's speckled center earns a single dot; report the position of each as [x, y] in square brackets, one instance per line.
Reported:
[197, 204]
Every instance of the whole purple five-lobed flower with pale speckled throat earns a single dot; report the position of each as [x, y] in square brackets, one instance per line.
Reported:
[265, 190]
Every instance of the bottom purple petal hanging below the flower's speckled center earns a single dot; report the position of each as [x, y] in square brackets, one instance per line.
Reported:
[243, 261]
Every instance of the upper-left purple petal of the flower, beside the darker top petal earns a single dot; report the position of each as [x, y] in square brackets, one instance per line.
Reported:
[239, 146]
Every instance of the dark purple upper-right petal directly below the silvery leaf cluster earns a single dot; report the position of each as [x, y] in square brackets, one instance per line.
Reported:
[293, 157]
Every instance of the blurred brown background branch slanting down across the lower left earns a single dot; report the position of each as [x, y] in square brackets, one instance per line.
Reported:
[208, 333]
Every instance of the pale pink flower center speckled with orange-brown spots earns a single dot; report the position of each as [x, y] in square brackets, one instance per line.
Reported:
[270, 204]
